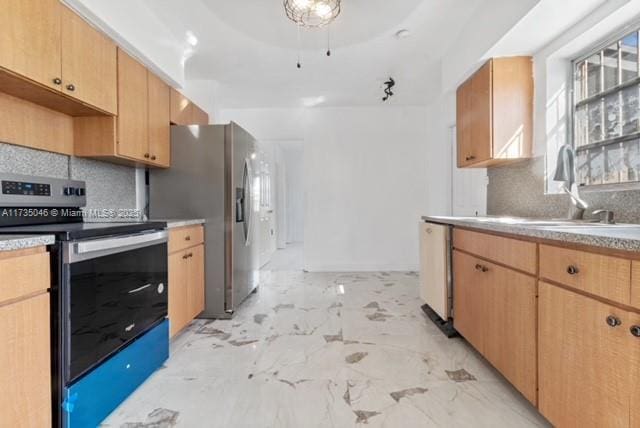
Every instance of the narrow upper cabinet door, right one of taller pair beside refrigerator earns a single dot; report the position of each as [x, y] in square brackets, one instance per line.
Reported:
[159, 118]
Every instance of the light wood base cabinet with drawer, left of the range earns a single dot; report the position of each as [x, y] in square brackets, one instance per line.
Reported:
[25, 344]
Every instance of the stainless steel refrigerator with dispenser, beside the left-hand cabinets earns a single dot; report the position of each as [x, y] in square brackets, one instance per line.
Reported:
[212, 177]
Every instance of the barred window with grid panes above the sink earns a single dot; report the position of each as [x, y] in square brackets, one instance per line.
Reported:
[606, 113]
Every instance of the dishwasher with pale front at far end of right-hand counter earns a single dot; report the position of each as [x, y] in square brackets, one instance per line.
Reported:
[436, 275]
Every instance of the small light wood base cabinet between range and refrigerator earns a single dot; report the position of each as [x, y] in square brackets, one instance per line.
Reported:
[186, 285]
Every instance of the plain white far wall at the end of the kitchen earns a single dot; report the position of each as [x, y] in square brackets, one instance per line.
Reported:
[370, 174]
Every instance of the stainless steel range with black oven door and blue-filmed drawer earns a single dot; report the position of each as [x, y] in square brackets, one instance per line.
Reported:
[109, 295]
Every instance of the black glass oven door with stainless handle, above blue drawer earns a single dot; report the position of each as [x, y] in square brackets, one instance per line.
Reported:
[117, 290]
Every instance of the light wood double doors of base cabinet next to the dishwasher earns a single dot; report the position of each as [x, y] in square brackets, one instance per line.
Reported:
[495, 310]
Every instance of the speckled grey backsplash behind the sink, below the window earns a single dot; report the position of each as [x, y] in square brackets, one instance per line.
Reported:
[518, 190]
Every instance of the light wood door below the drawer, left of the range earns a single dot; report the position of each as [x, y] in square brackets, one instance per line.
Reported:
[25, 363]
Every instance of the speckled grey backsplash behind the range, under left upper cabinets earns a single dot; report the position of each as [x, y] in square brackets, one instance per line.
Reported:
[109, 186]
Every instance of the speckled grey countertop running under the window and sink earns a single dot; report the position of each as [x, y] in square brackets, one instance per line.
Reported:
[610, 242]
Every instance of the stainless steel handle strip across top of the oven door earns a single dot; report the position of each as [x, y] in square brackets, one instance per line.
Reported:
[86, 250]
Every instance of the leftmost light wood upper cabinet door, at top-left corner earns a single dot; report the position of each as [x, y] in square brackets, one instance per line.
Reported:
[30, 40]
